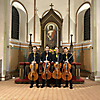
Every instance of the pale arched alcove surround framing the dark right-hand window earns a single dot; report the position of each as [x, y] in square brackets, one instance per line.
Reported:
[81, 23]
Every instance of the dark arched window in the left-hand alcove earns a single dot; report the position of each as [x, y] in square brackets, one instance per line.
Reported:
[15, 24]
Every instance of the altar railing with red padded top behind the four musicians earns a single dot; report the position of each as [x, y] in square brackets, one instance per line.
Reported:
[25, 69]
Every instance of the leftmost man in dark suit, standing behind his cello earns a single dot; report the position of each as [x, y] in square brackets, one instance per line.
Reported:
[34, 57]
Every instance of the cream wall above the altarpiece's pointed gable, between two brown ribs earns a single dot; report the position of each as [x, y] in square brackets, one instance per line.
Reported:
[60, 5]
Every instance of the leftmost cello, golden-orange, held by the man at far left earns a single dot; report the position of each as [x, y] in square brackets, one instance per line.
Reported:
[33, 75]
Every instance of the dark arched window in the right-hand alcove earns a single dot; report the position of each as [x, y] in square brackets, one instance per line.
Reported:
[87, 25]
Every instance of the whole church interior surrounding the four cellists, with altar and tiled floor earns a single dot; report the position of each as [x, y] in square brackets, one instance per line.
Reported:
[26, 23]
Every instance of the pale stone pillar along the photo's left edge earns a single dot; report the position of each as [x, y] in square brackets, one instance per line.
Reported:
[4, 36]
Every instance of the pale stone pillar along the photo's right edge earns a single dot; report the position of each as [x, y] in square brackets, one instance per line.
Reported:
[95, 55]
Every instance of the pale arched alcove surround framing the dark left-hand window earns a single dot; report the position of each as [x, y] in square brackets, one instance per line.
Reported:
[23, 20]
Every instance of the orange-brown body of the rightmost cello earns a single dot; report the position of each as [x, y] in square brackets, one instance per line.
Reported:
[66, 75]
